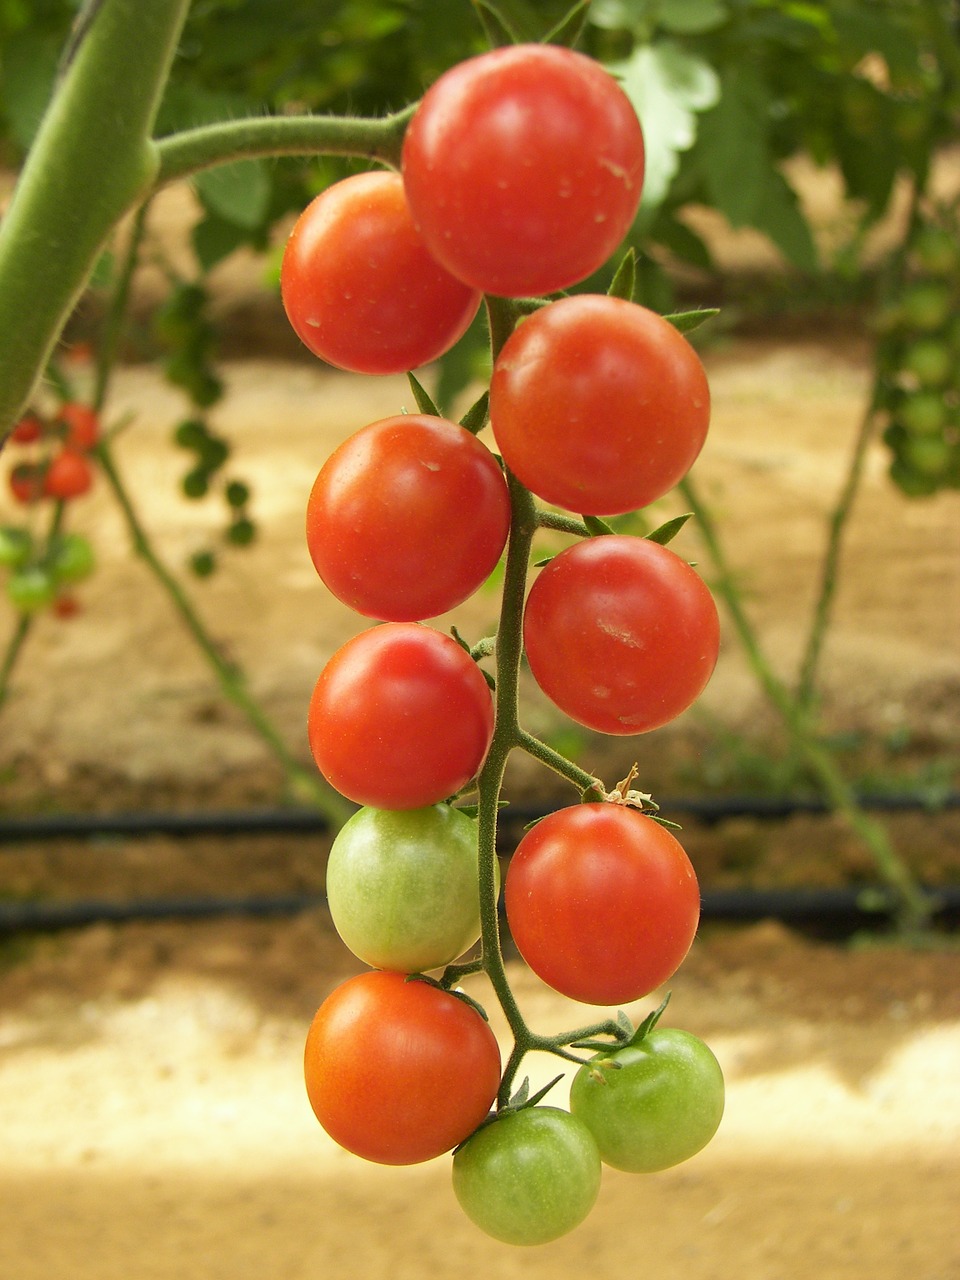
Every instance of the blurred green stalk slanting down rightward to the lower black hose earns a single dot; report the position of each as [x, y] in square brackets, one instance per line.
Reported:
[912, 907]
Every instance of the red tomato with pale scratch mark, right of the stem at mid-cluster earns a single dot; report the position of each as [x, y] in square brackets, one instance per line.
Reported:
[621, 634]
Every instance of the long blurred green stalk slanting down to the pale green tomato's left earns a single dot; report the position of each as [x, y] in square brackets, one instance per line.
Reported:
[231, 680]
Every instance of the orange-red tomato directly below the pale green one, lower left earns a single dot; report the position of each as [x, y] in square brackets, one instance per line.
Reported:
[399, 1071]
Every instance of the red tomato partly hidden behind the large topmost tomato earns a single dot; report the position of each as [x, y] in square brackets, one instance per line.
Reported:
[359, 286]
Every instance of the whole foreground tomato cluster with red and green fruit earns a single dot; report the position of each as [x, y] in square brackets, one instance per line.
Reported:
[522, 173]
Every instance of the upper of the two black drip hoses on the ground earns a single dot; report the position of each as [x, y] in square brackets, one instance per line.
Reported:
[292, 821]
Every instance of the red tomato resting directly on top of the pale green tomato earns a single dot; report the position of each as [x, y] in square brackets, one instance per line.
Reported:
[401, 717]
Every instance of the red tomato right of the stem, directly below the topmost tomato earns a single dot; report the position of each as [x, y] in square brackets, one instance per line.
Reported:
[600, 405]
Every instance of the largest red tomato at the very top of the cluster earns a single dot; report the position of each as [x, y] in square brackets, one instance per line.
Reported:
[524, 168]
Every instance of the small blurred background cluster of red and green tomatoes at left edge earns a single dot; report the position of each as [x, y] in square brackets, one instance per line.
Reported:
[53, 463]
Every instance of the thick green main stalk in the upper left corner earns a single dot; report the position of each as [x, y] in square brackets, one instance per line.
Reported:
[92, 162]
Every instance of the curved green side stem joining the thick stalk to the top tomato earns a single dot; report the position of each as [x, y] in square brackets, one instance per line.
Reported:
[191, 152]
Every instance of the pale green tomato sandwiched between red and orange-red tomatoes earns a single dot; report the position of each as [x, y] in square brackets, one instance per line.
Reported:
[403, 886]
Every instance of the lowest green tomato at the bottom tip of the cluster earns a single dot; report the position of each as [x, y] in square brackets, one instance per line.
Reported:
[528, 1177]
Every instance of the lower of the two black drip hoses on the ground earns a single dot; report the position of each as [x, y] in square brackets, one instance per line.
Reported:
[840, 911]
